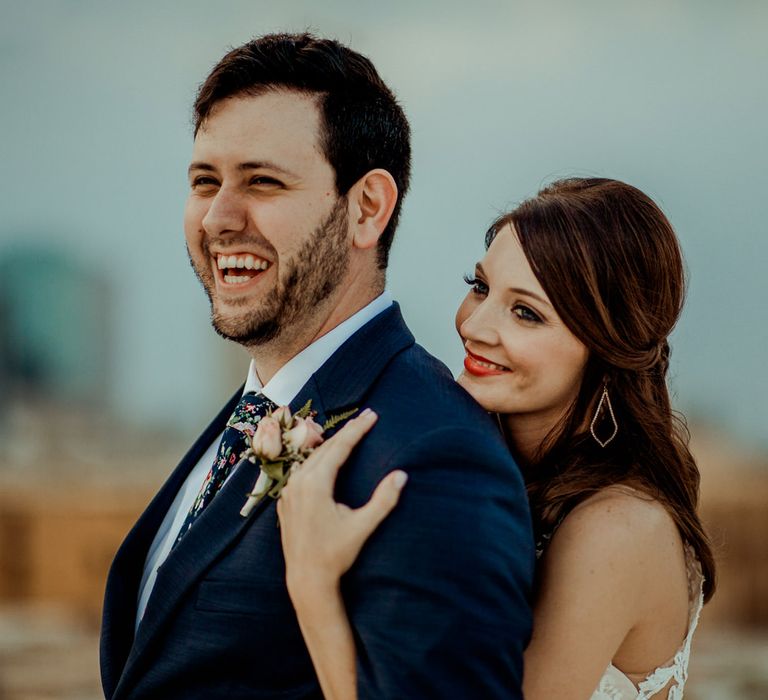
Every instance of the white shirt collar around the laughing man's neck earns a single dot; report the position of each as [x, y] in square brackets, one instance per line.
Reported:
[295, 373]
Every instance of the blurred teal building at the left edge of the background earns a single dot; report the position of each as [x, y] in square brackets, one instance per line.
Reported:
[55, 352]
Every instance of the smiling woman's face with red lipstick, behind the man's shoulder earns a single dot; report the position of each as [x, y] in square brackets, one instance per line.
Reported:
[521, 358]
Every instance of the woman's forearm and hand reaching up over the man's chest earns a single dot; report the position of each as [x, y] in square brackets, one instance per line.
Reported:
[321, 540]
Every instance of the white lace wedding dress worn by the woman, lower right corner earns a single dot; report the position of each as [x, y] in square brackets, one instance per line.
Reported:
[616, 685]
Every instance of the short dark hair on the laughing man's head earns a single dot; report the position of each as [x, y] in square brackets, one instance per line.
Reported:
[362, 125]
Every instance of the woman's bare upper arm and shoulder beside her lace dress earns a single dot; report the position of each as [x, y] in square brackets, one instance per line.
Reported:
[610, 569]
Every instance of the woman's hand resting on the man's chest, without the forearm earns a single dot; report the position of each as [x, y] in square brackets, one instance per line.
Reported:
[321, 538]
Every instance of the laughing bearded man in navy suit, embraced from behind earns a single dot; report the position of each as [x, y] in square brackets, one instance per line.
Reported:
[300, 163]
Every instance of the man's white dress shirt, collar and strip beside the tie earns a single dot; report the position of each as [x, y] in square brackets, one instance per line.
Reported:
[282, 389]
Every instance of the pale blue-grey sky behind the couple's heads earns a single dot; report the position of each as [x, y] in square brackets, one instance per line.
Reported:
[502, 96]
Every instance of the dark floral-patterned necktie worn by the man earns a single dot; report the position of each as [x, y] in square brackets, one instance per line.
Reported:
[241, 425]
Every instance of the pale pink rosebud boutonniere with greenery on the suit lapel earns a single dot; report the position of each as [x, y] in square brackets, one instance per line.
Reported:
[282, 440]
